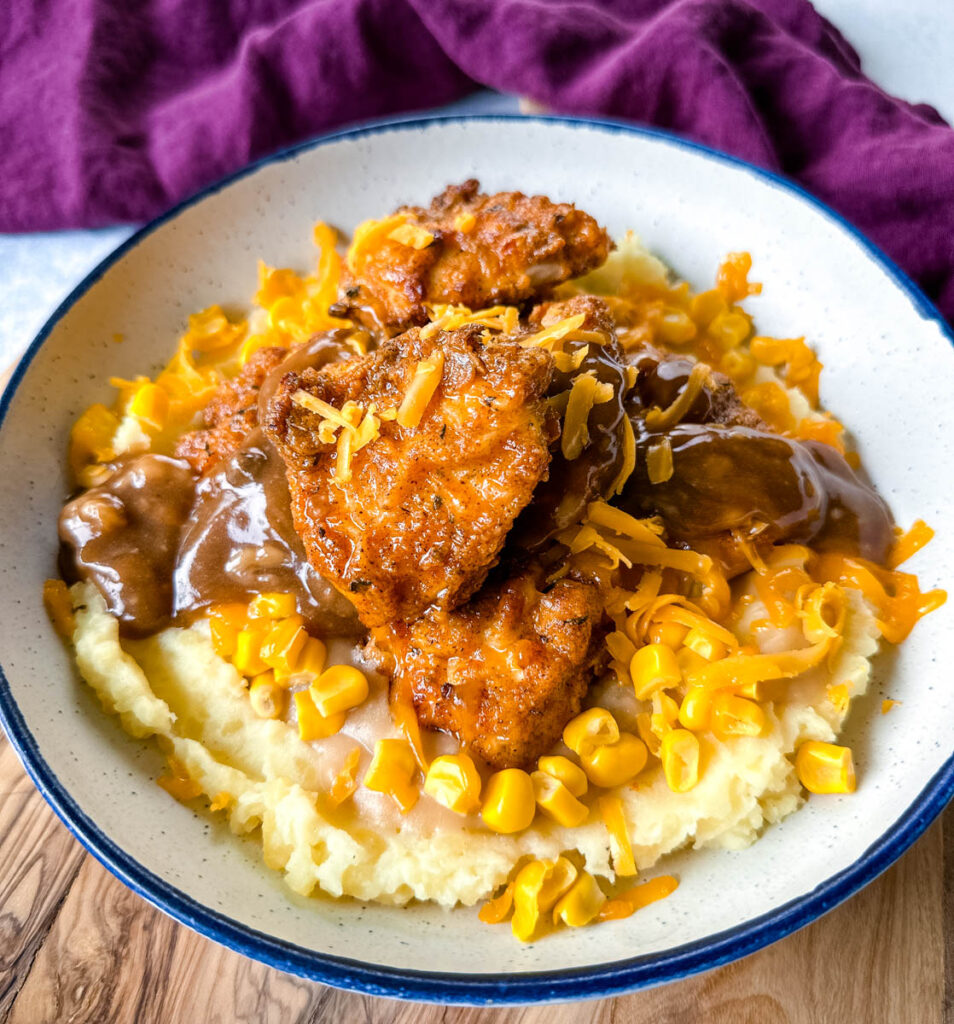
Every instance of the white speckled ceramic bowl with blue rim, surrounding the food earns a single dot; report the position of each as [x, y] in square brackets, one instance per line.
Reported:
[889, 374]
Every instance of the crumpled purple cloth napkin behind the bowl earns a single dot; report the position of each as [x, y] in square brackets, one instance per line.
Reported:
[113, 110]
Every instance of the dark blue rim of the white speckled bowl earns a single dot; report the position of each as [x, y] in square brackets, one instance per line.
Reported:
[604, 980]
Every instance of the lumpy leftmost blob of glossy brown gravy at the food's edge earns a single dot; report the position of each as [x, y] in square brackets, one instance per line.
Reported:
[123, 536]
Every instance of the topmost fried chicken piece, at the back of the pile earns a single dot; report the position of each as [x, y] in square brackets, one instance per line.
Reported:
[487, 249]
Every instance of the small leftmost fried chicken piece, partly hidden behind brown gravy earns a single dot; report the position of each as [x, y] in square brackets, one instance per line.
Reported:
[232, 413]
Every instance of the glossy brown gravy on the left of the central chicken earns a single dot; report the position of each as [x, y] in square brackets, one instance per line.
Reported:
[161, 545]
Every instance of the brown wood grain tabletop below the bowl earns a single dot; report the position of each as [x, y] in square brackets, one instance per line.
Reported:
[76, 946]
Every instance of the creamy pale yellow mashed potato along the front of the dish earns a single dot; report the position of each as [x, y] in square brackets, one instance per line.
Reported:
[175, 687]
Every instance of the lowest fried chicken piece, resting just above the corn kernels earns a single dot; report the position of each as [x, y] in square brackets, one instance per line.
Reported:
[504, 673]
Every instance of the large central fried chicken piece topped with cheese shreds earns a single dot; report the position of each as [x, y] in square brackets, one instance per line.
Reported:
[426, 508]
